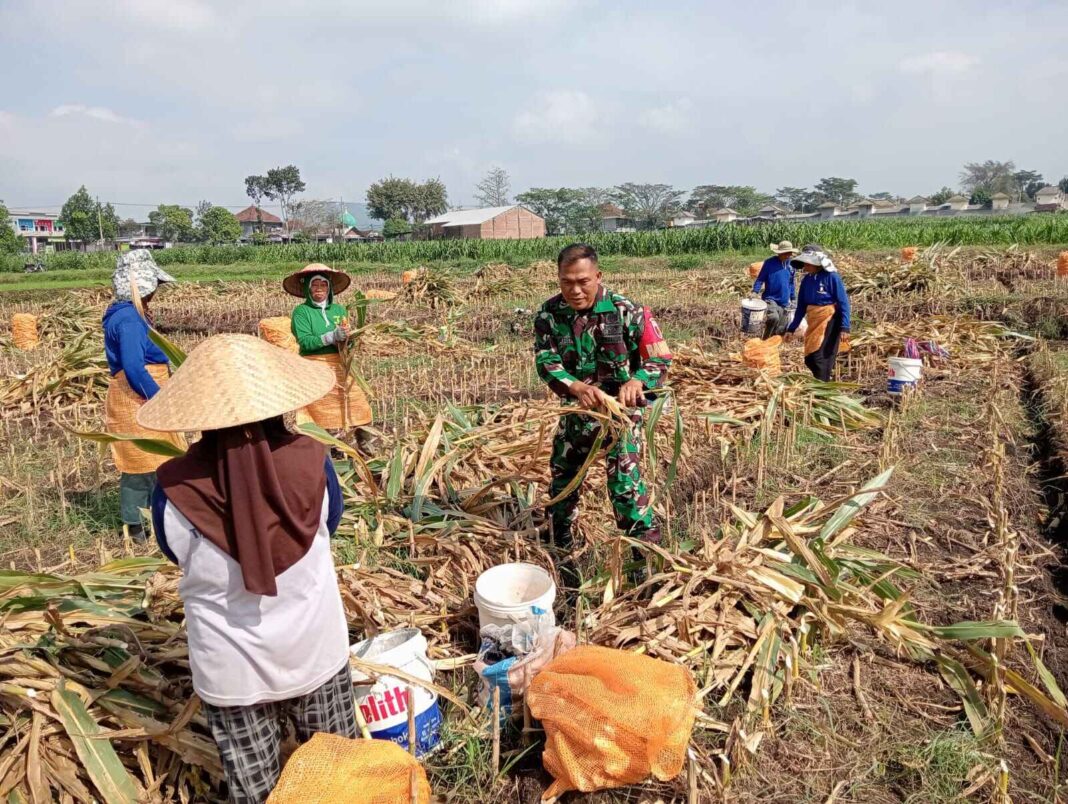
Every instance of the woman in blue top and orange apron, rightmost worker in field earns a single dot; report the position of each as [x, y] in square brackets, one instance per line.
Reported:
[824, 304]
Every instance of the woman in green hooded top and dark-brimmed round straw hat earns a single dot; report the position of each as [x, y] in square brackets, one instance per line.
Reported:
[320, 327]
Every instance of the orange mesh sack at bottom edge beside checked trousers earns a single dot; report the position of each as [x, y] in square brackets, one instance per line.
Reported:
[336, 770]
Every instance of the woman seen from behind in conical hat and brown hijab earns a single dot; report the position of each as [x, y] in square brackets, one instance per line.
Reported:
[247, 514]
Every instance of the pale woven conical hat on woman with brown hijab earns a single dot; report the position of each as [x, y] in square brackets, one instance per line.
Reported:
[234, 380]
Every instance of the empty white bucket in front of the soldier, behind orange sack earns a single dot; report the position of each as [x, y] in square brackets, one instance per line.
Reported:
[508, 593]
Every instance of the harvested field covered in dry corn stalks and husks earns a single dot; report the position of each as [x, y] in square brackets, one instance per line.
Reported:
[869, 594]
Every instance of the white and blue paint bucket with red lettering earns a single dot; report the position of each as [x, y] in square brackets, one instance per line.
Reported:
[385, 703]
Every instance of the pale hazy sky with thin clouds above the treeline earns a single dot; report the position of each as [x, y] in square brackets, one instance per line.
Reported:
[150, 102]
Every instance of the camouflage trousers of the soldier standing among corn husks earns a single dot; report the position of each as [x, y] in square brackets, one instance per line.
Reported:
[631, 499]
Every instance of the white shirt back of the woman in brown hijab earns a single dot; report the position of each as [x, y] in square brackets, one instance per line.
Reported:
[247, 649]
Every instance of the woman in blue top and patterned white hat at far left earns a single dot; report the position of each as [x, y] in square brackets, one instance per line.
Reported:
[138, 369]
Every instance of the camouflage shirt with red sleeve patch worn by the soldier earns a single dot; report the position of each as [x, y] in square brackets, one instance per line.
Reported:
[601, 346]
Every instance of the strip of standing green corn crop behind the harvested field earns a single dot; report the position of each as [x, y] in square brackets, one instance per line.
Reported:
[1030, 230]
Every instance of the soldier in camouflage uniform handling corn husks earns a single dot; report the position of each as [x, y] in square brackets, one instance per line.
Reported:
[589, 341]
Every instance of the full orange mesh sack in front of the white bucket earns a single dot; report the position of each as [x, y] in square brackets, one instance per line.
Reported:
[612, 718]
